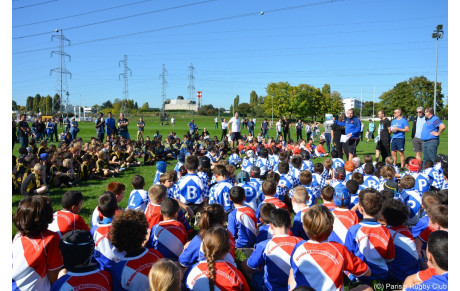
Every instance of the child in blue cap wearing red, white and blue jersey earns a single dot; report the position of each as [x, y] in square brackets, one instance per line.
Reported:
[344, 218]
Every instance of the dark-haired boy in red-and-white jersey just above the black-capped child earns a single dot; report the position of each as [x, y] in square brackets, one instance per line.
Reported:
[68, 219]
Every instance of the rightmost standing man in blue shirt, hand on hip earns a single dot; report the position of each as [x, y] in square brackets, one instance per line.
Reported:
[431, 131]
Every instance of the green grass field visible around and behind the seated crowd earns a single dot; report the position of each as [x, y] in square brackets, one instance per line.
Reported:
[92, 189]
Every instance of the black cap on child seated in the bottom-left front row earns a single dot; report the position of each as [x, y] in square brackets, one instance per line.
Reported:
[77, 248]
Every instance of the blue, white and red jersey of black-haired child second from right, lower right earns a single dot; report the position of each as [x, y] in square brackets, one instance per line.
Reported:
[406, 257]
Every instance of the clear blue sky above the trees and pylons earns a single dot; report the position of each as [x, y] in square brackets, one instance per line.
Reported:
[349, 44]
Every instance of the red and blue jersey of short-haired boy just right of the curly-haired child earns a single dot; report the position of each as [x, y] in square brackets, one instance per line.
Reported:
[169, 238]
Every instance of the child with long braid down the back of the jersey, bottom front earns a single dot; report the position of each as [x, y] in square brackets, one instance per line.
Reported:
[214, 271]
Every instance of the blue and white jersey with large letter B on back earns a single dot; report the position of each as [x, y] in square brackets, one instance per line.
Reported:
[192, 189]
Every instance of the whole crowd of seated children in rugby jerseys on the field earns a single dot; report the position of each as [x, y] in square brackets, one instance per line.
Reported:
[353, 224]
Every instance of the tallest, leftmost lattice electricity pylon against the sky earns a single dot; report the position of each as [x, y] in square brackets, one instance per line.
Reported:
[62, 72]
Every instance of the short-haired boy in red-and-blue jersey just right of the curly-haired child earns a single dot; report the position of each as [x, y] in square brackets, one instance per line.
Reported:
[168, 236]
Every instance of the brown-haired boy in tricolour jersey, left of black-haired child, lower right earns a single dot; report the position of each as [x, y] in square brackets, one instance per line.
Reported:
[369, 240]
